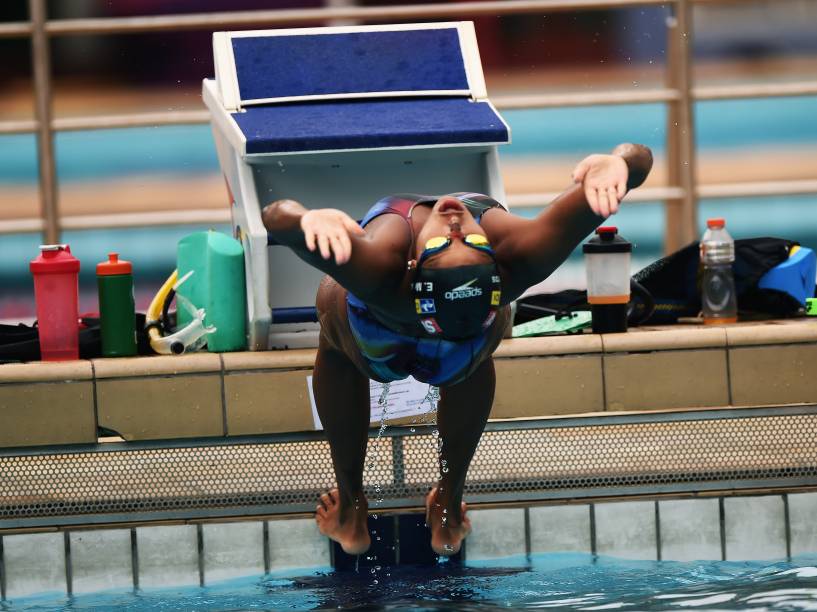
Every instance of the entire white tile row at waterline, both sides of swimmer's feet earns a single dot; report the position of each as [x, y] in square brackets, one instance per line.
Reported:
[734, 528]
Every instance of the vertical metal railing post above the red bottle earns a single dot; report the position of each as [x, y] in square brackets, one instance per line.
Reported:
[41, 62]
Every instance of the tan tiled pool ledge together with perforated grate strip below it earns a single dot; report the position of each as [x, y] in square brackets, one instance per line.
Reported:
[683, 410]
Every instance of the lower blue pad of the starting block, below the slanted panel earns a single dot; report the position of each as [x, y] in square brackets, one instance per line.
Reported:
[355, 124]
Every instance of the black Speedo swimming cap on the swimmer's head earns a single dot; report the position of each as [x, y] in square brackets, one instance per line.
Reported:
[458, 302]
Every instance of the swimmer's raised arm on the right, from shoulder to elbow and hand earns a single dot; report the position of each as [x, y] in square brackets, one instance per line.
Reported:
[529, 250]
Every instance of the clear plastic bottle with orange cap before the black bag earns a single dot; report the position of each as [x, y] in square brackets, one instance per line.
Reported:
[718, 299]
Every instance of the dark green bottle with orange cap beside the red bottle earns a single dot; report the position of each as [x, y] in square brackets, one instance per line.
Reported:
[117, 311]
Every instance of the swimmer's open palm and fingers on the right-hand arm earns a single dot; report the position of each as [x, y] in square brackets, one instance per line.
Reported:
[604, 179]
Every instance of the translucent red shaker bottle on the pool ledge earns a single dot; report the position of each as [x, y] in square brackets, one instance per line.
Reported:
[56, 274]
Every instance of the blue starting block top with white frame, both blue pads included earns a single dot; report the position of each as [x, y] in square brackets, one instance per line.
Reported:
[363, 87]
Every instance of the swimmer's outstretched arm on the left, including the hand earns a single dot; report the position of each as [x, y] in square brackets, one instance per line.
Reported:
[330, 240]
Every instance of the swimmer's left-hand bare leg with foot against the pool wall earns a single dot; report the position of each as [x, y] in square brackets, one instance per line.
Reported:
[342, 399]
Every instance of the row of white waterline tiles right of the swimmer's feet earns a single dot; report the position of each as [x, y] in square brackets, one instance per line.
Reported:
[732, 528]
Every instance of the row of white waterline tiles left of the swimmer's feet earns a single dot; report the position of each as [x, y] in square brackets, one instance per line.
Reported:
[84, 561]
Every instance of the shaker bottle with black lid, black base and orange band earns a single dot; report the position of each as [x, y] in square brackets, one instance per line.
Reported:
[607, 261]
